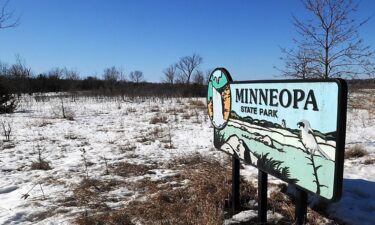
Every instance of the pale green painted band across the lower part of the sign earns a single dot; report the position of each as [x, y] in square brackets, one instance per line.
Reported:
[294, 158]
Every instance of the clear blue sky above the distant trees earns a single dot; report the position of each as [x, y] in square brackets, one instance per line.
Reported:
[149, 35]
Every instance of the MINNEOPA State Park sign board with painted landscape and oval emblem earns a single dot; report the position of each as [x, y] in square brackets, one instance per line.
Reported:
[291, 129]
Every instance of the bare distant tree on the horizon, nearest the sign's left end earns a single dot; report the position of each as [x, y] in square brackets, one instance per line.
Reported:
[187, 65]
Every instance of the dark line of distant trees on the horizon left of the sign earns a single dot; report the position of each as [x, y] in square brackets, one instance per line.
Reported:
[19, 79]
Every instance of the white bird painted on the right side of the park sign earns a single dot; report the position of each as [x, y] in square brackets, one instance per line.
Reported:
[309, 140]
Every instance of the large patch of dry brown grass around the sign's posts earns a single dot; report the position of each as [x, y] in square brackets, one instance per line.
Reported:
[197, 195]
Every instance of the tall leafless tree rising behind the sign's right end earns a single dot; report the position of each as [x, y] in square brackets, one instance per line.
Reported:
[329, 42]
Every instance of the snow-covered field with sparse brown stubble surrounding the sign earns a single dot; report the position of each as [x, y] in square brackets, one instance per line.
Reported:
[47, 156]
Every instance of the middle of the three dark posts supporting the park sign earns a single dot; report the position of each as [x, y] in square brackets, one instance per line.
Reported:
[262, 197]
